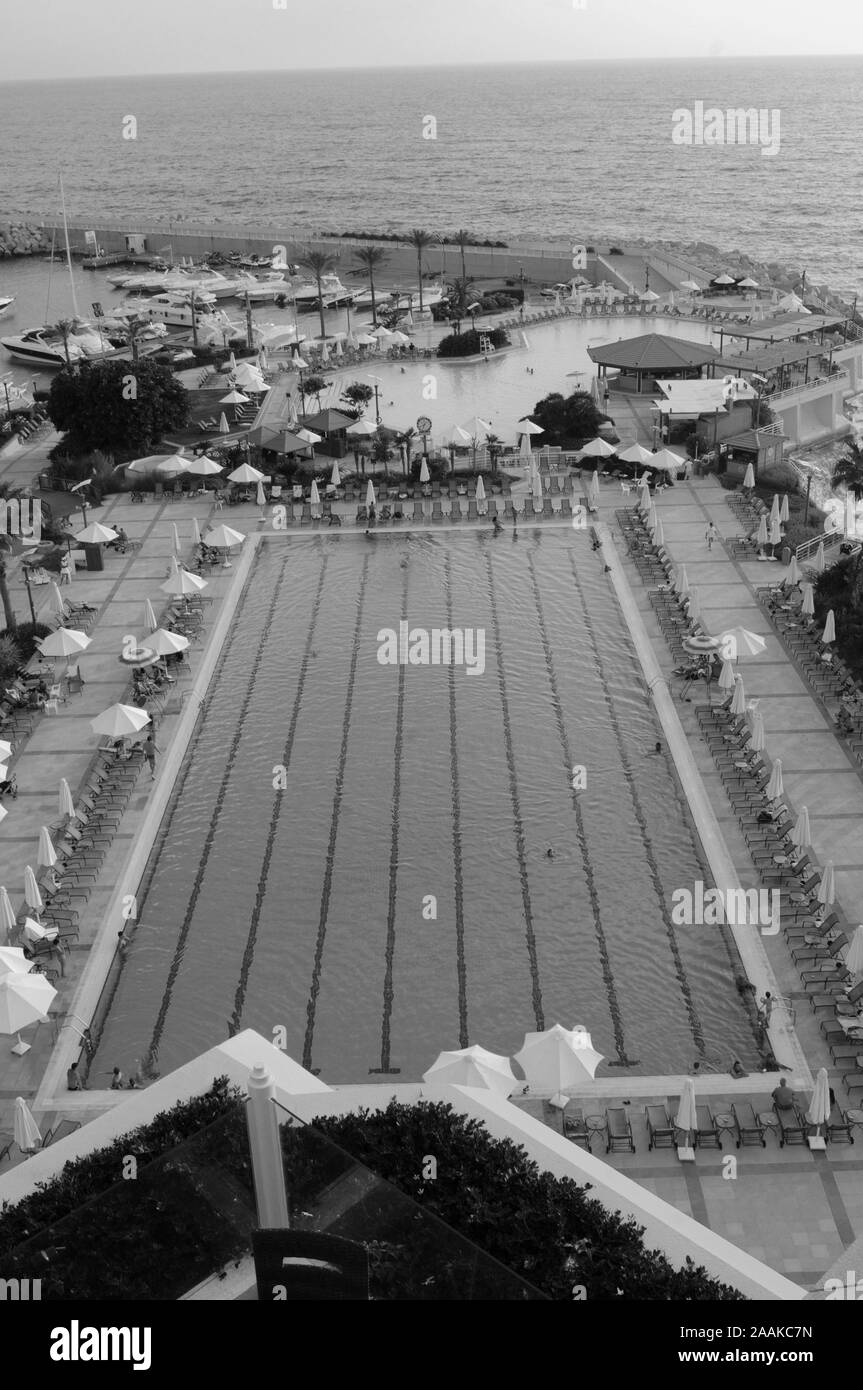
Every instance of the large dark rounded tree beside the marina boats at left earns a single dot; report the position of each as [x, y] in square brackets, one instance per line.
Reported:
[104, 405]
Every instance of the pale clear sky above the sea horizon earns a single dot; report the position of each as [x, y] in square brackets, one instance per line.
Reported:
[115, 38]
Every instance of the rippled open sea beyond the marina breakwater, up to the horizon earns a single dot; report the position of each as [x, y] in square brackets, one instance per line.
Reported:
[522, 152]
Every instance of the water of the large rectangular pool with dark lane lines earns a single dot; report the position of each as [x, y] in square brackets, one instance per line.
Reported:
[393, 896]
